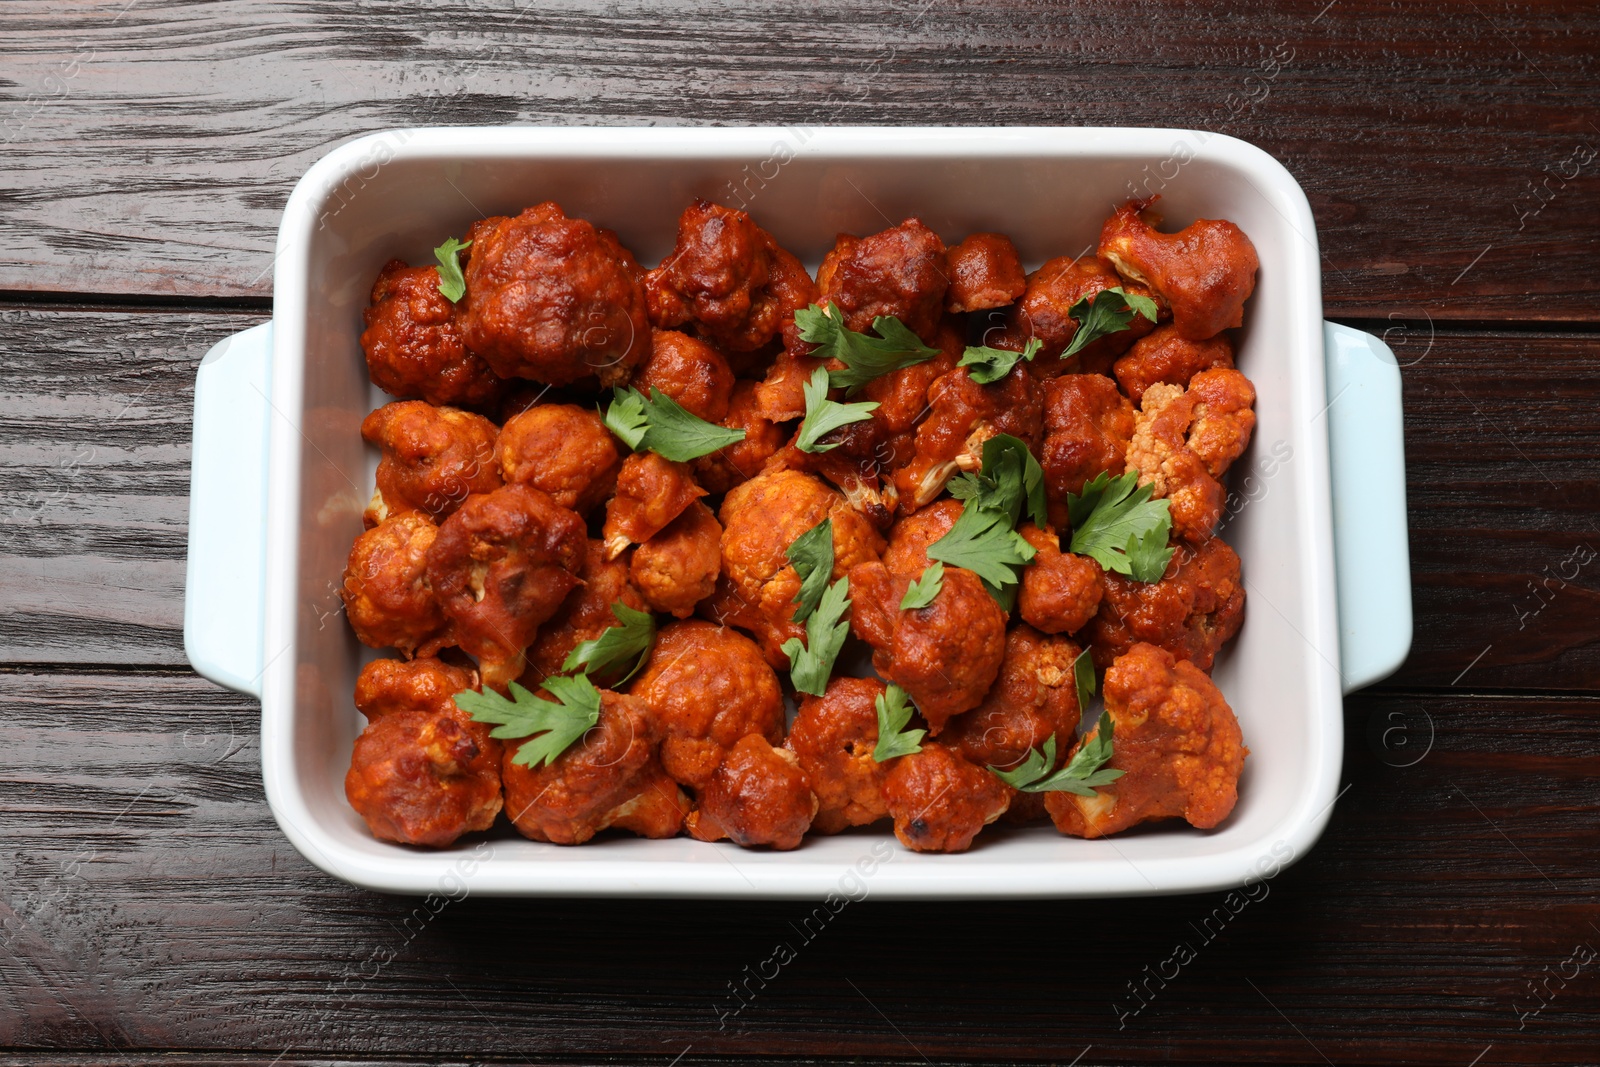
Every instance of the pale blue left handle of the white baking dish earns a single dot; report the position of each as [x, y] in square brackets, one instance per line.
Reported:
[228, 510]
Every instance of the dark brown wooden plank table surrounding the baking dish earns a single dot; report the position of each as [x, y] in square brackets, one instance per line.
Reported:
[153, 913]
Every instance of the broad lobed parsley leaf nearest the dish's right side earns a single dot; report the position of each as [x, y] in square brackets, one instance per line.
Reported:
[1116, 522]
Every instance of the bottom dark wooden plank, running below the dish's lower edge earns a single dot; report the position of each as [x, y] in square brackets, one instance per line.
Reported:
[151, 903]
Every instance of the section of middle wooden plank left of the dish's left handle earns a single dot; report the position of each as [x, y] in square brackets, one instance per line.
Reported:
[97, 412]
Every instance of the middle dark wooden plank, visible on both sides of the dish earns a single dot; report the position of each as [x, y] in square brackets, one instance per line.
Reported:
[1503, 454]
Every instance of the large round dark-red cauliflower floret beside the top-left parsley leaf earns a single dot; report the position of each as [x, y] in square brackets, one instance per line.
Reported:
[554, 300]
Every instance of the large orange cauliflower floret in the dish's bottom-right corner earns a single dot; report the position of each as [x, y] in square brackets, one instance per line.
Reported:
[1177, 743]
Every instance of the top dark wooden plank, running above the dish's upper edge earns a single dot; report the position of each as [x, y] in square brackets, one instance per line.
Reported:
[1452, 161]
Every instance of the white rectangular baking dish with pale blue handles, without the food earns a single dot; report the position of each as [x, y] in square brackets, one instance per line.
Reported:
[281, 476]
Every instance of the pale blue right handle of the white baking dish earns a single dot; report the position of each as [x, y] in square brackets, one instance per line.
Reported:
[1370, 548]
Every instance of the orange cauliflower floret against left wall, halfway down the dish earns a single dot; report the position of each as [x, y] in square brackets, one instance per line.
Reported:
[386, 593]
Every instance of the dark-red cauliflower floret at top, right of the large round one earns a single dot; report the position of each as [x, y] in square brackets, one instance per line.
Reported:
[730, 281]
